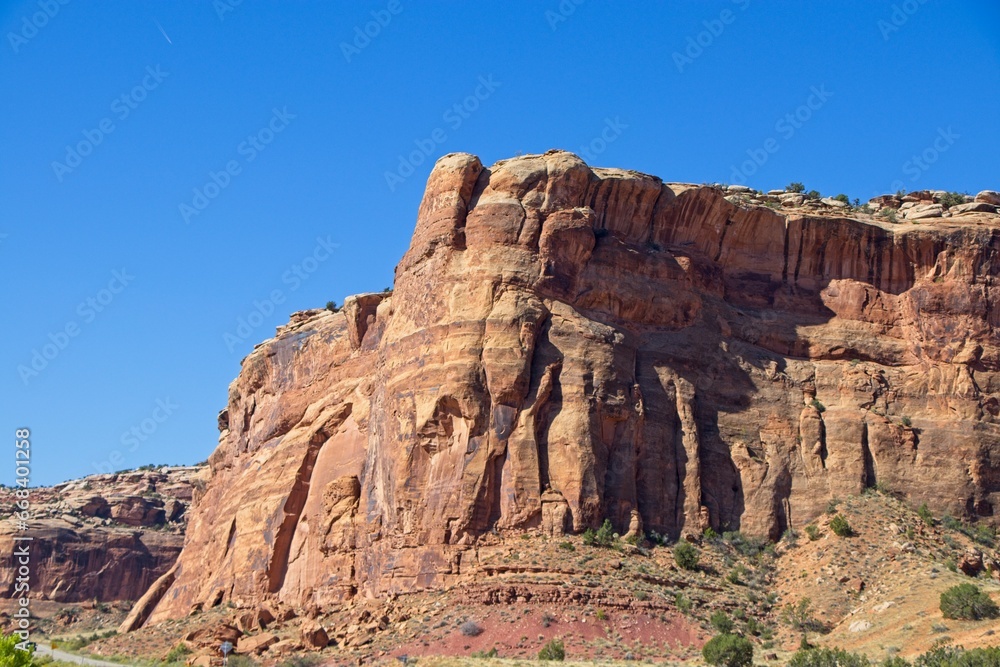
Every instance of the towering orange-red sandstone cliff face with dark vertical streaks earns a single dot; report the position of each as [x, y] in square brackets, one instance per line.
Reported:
[565, 344]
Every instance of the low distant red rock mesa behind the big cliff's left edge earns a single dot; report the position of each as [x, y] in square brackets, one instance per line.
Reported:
[104, 537]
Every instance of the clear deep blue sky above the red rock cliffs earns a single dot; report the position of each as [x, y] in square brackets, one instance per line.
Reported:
[198, 80]
